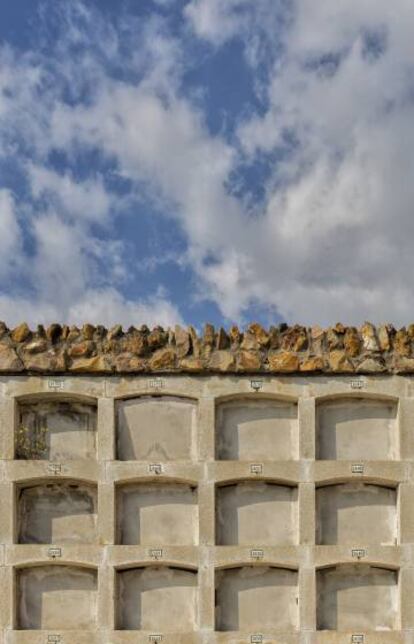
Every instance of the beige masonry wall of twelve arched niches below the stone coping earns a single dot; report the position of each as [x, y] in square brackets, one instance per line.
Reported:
[276, 510]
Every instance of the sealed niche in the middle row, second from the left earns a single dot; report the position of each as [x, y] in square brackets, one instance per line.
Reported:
[158, 514]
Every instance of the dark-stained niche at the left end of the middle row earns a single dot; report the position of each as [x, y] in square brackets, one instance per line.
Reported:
[57, 513]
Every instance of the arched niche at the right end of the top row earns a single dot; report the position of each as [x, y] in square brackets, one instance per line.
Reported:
[354, 429]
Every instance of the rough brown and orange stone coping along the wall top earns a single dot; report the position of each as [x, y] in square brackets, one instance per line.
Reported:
[280, 349]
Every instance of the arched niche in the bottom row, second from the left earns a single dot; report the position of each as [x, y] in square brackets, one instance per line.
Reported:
[157, 598]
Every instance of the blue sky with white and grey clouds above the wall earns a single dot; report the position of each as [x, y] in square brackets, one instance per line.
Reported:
[190, 161]
